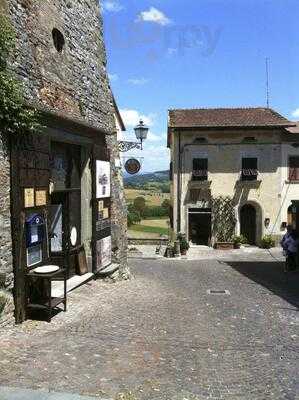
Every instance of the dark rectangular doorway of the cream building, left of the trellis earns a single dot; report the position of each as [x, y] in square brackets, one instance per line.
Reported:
[200, 227]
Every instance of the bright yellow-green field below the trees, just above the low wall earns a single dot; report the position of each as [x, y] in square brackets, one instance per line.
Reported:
[149, 229]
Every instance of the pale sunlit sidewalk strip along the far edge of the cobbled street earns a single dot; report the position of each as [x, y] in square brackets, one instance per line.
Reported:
[207, 253]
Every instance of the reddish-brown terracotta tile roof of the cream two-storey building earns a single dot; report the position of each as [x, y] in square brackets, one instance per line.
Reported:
[226, 117]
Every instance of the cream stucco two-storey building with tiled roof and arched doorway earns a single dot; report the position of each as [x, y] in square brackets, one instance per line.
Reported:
[248, 154]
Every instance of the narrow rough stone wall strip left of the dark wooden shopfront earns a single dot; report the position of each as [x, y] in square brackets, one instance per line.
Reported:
[6, 267]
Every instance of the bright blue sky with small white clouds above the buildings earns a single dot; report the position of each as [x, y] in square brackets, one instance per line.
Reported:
[199, 53]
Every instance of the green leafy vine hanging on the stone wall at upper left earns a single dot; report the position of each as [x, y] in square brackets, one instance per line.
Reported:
[15, 117]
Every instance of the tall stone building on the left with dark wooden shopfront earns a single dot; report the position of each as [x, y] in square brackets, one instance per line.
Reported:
[69, 175]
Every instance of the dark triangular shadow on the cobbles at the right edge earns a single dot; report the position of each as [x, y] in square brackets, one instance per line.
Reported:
[271, 275]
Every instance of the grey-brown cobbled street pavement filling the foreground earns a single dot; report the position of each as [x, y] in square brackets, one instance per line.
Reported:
[163, 336]
